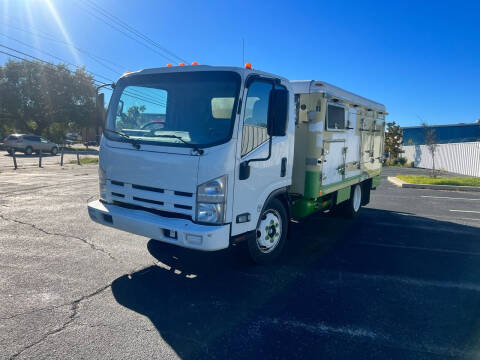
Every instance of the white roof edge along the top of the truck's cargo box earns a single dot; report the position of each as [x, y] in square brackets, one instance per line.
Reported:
[308, 86]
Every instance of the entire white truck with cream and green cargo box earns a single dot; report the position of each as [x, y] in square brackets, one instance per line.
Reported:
[205, 157]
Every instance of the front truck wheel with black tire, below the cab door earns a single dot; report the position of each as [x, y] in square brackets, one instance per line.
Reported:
[271, 233]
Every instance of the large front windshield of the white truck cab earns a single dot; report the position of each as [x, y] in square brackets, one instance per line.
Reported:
[175, 109]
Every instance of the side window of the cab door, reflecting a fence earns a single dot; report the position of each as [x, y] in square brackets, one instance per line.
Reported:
[256, 111]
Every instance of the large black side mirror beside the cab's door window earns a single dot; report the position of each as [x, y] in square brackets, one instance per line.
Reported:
[277, 112]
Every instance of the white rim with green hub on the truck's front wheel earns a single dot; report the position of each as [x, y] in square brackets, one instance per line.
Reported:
[269, 231]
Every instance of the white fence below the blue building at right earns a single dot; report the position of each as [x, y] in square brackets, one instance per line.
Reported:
[460, 158]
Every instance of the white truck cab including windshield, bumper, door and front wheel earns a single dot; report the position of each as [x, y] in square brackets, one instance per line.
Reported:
[200, 157]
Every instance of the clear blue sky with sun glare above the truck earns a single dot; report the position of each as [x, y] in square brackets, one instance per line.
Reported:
[419, 58]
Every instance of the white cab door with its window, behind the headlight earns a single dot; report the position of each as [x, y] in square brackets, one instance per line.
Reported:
[265, 176]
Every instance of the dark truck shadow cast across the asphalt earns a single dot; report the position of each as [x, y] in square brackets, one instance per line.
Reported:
[219, 305]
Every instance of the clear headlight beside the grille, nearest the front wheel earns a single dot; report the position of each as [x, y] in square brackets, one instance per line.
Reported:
[211, 199]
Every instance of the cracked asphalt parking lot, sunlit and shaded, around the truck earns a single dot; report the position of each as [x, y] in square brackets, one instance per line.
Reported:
[400, 281]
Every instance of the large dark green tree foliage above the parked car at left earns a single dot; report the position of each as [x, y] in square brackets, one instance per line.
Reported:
[47, 100]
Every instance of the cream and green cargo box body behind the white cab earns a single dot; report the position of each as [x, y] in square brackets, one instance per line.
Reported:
[328, 159]
